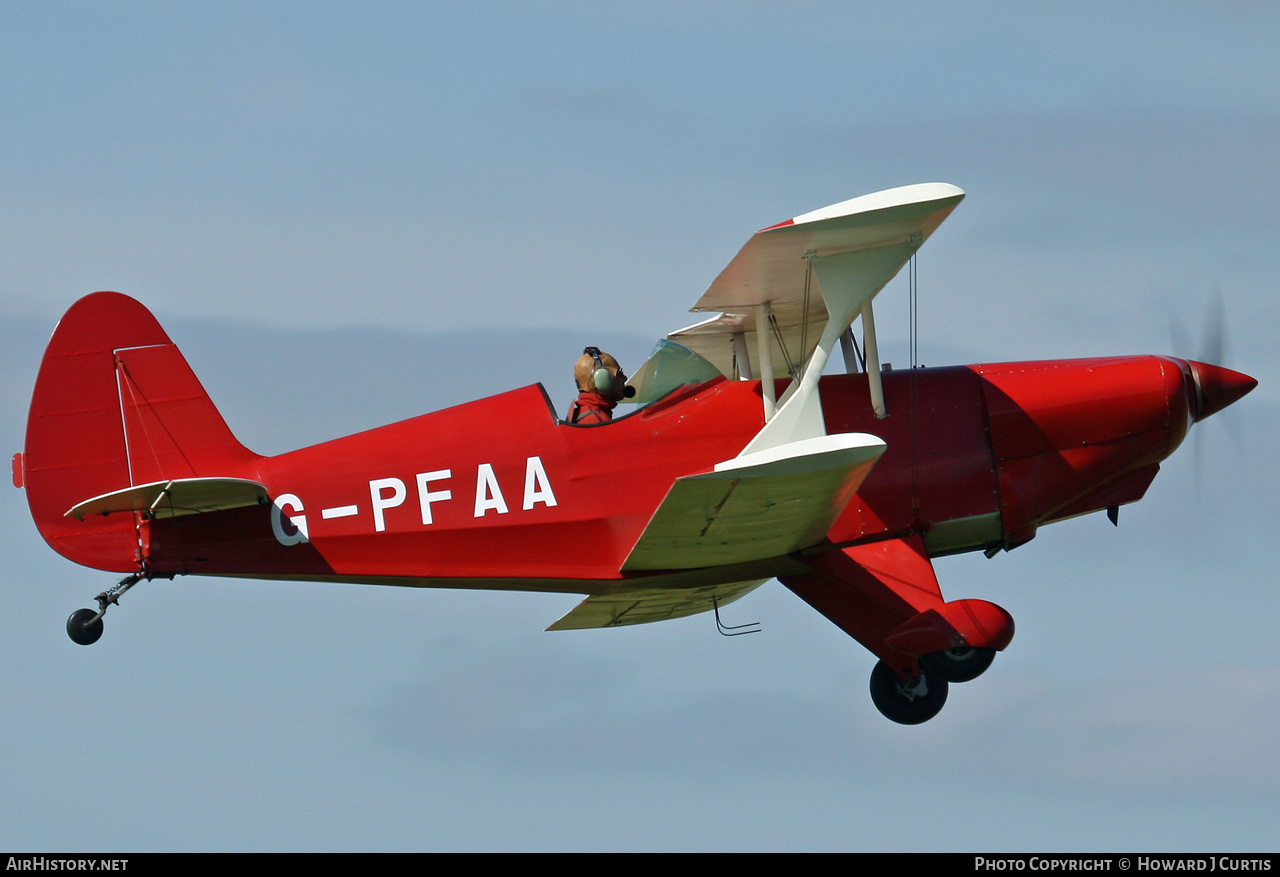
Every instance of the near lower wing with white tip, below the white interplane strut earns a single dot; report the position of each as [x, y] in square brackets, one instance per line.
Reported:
[756, 506]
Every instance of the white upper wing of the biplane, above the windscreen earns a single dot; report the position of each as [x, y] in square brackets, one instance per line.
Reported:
[772, 270]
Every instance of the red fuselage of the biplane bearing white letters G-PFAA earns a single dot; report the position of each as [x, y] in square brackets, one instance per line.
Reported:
[499, 494]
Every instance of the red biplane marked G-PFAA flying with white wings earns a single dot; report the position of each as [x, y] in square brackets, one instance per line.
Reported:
[742, 464]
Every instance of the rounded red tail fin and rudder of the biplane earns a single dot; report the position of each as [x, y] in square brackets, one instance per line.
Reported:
[116, 405]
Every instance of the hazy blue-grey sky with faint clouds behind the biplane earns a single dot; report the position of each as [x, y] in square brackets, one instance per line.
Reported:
[349, 213]
